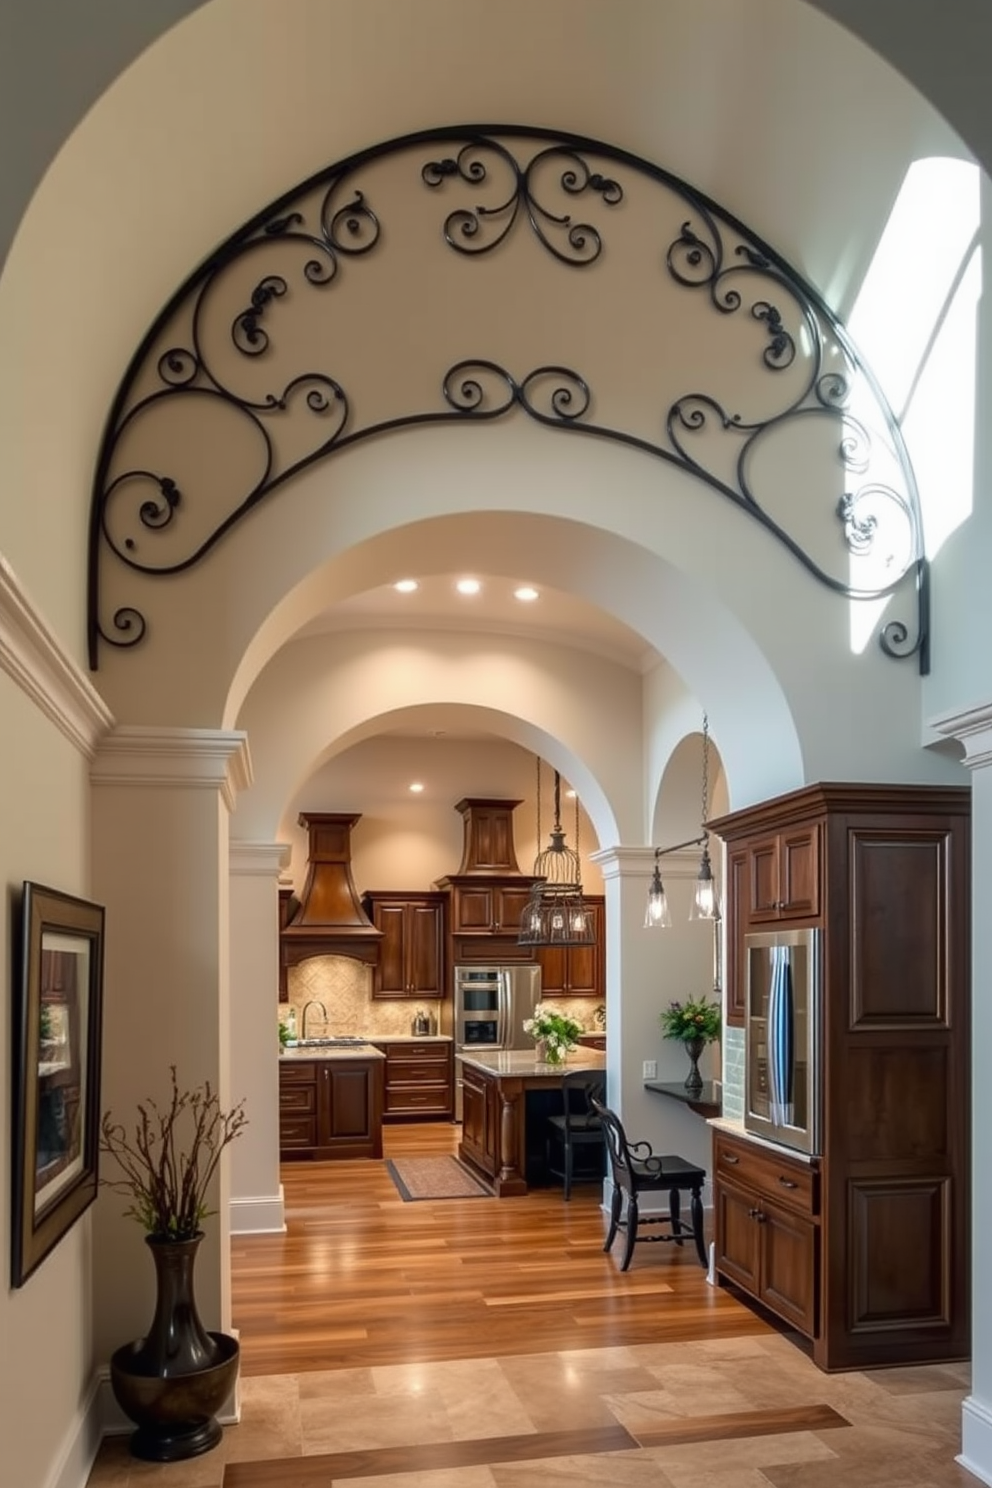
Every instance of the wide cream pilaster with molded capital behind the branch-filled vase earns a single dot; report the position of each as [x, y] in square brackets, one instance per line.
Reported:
[161, 803]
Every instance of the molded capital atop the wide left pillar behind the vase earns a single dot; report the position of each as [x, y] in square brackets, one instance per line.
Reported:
[210, 760]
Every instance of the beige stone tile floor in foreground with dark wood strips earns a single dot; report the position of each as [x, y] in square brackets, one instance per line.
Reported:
[762, 1414]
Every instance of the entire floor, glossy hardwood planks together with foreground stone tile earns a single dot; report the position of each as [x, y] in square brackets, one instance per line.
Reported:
[492, 1344]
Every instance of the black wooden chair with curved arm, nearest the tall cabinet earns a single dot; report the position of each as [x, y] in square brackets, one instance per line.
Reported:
[637, 1170]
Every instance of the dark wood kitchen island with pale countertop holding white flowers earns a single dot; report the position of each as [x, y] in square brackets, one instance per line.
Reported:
[497, 1139]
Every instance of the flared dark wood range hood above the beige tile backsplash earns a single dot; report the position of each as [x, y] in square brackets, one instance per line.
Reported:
[329, 919]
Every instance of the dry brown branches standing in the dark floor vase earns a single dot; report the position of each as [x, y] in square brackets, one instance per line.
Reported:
[172, 1158]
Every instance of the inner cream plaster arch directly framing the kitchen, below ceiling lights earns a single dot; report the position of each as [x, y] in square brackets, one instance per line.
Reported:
[579, 713]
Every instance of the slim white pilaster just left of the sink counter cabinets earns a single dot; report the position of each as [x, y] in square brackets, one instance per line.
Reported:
[257, 1194]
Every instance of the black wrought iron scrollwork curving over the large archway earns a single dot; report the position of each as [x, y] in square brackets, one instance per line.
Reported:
[713, 255]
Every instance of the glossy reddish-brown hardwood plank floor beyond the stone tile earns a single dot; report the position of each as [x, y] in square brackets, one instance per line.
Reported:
[364, 1279]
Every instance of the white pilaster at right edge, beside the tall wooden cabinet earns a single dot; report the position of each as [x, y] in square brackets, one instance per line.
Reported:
[973, 728]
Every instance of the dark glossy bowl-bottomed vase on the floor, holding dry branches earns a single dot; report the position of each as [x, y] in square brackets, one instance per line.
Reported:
[175, 1382]
